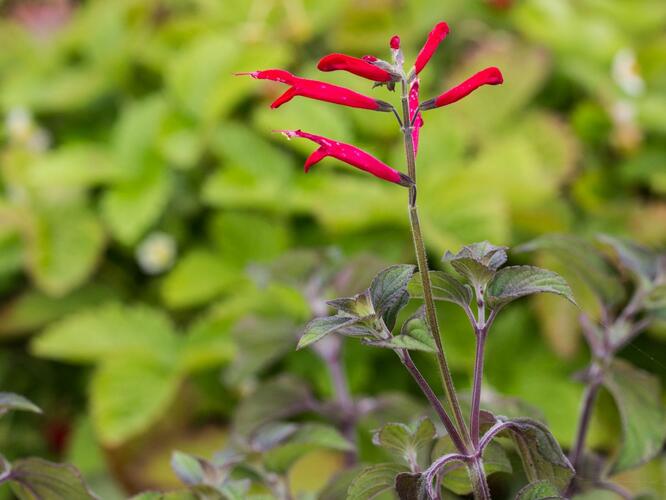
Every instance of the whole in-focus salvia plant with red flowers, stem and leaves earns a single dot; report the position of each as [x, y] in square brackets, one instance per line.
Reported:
[475, 279]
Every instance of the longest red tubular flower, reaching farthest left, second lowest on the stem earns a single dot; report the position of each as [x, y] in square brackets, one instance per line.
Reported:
[315, 89]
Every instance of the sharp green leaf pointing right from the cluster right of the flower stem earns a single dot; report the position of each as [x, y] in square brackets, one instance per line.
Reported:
[511, 283]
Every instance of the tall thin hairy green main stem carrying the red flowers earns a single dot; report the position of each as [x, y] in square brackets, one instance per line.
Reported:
[422, 261]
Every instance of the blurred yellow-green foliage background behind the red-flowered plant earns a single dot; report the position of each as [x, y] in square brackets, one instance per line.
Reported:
[143, 194]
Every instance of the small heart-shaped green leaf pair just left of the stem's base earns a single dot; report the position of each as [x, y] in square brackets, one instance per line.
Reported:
[410, 445]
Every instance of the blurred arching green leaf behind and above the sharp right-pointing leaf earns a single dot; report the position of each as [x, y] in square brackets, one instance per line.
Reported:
[585, 260]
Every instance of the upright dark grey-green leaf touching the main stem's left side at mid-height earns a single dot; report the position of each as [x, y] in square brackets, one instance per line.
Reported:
[389, 292]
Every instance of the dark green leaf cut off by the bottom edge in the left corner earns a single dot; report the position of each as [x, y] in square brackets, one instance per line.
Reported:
[34, 478]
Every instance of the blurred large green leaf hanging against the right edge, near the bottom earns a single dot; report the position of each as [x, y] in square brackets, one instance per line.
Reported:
[638, 398]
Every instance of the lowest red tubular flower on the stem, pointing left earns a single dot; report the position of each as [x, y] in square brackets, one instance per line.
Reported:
[348, 154]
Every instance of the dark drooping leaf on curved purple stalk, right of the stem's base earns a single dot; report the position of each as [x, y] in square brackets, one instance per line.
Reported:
[540, 452]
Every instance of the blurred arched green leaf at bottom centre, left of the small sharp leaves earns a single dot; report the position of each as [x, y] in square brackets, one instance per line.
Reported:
[306, 439]
